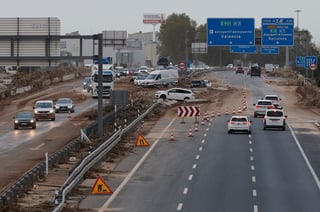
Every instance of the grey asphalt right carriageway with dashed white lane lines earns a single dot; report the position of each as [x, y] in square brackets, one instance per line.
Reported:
[216, 171]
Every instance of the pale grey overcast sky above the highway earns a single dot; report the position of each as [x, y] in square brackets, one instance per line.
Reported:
[90, 17]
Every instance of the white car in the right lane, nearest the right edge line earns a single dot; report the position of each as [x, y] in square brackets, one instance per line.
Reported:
[274, 118]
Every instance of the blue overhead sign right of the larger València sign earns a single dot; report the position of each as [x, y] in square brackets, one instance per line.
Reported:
[277, 32]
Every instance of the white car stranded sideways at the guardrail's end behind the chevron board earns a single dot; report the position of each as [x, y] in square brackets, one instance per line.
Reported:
[180, 94]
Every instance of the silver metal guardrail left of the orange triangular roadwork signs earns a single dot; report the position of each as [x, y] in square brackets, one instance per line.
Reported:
[92, 159]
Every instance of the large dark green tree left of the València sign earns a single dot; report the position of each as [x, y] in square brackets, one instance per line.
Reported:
[174, 33]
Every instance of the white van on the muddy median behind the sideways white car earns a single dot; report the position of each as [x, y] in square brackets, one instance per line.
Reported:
[161, 78]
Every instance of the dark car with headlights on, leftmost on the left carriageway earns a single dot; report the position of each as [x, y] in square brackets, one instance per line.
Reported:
[24, 119]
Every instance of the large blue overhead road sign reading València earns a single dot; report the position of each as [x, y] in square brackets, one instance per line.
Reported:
[230, 32]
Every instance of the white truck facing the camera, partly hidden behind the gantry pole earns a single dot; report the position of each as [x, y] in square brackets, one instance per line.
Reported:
[107, 80]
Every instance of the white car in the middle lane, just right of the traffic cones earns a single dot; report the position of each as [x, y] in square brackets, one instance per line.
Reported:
[240, 124]
